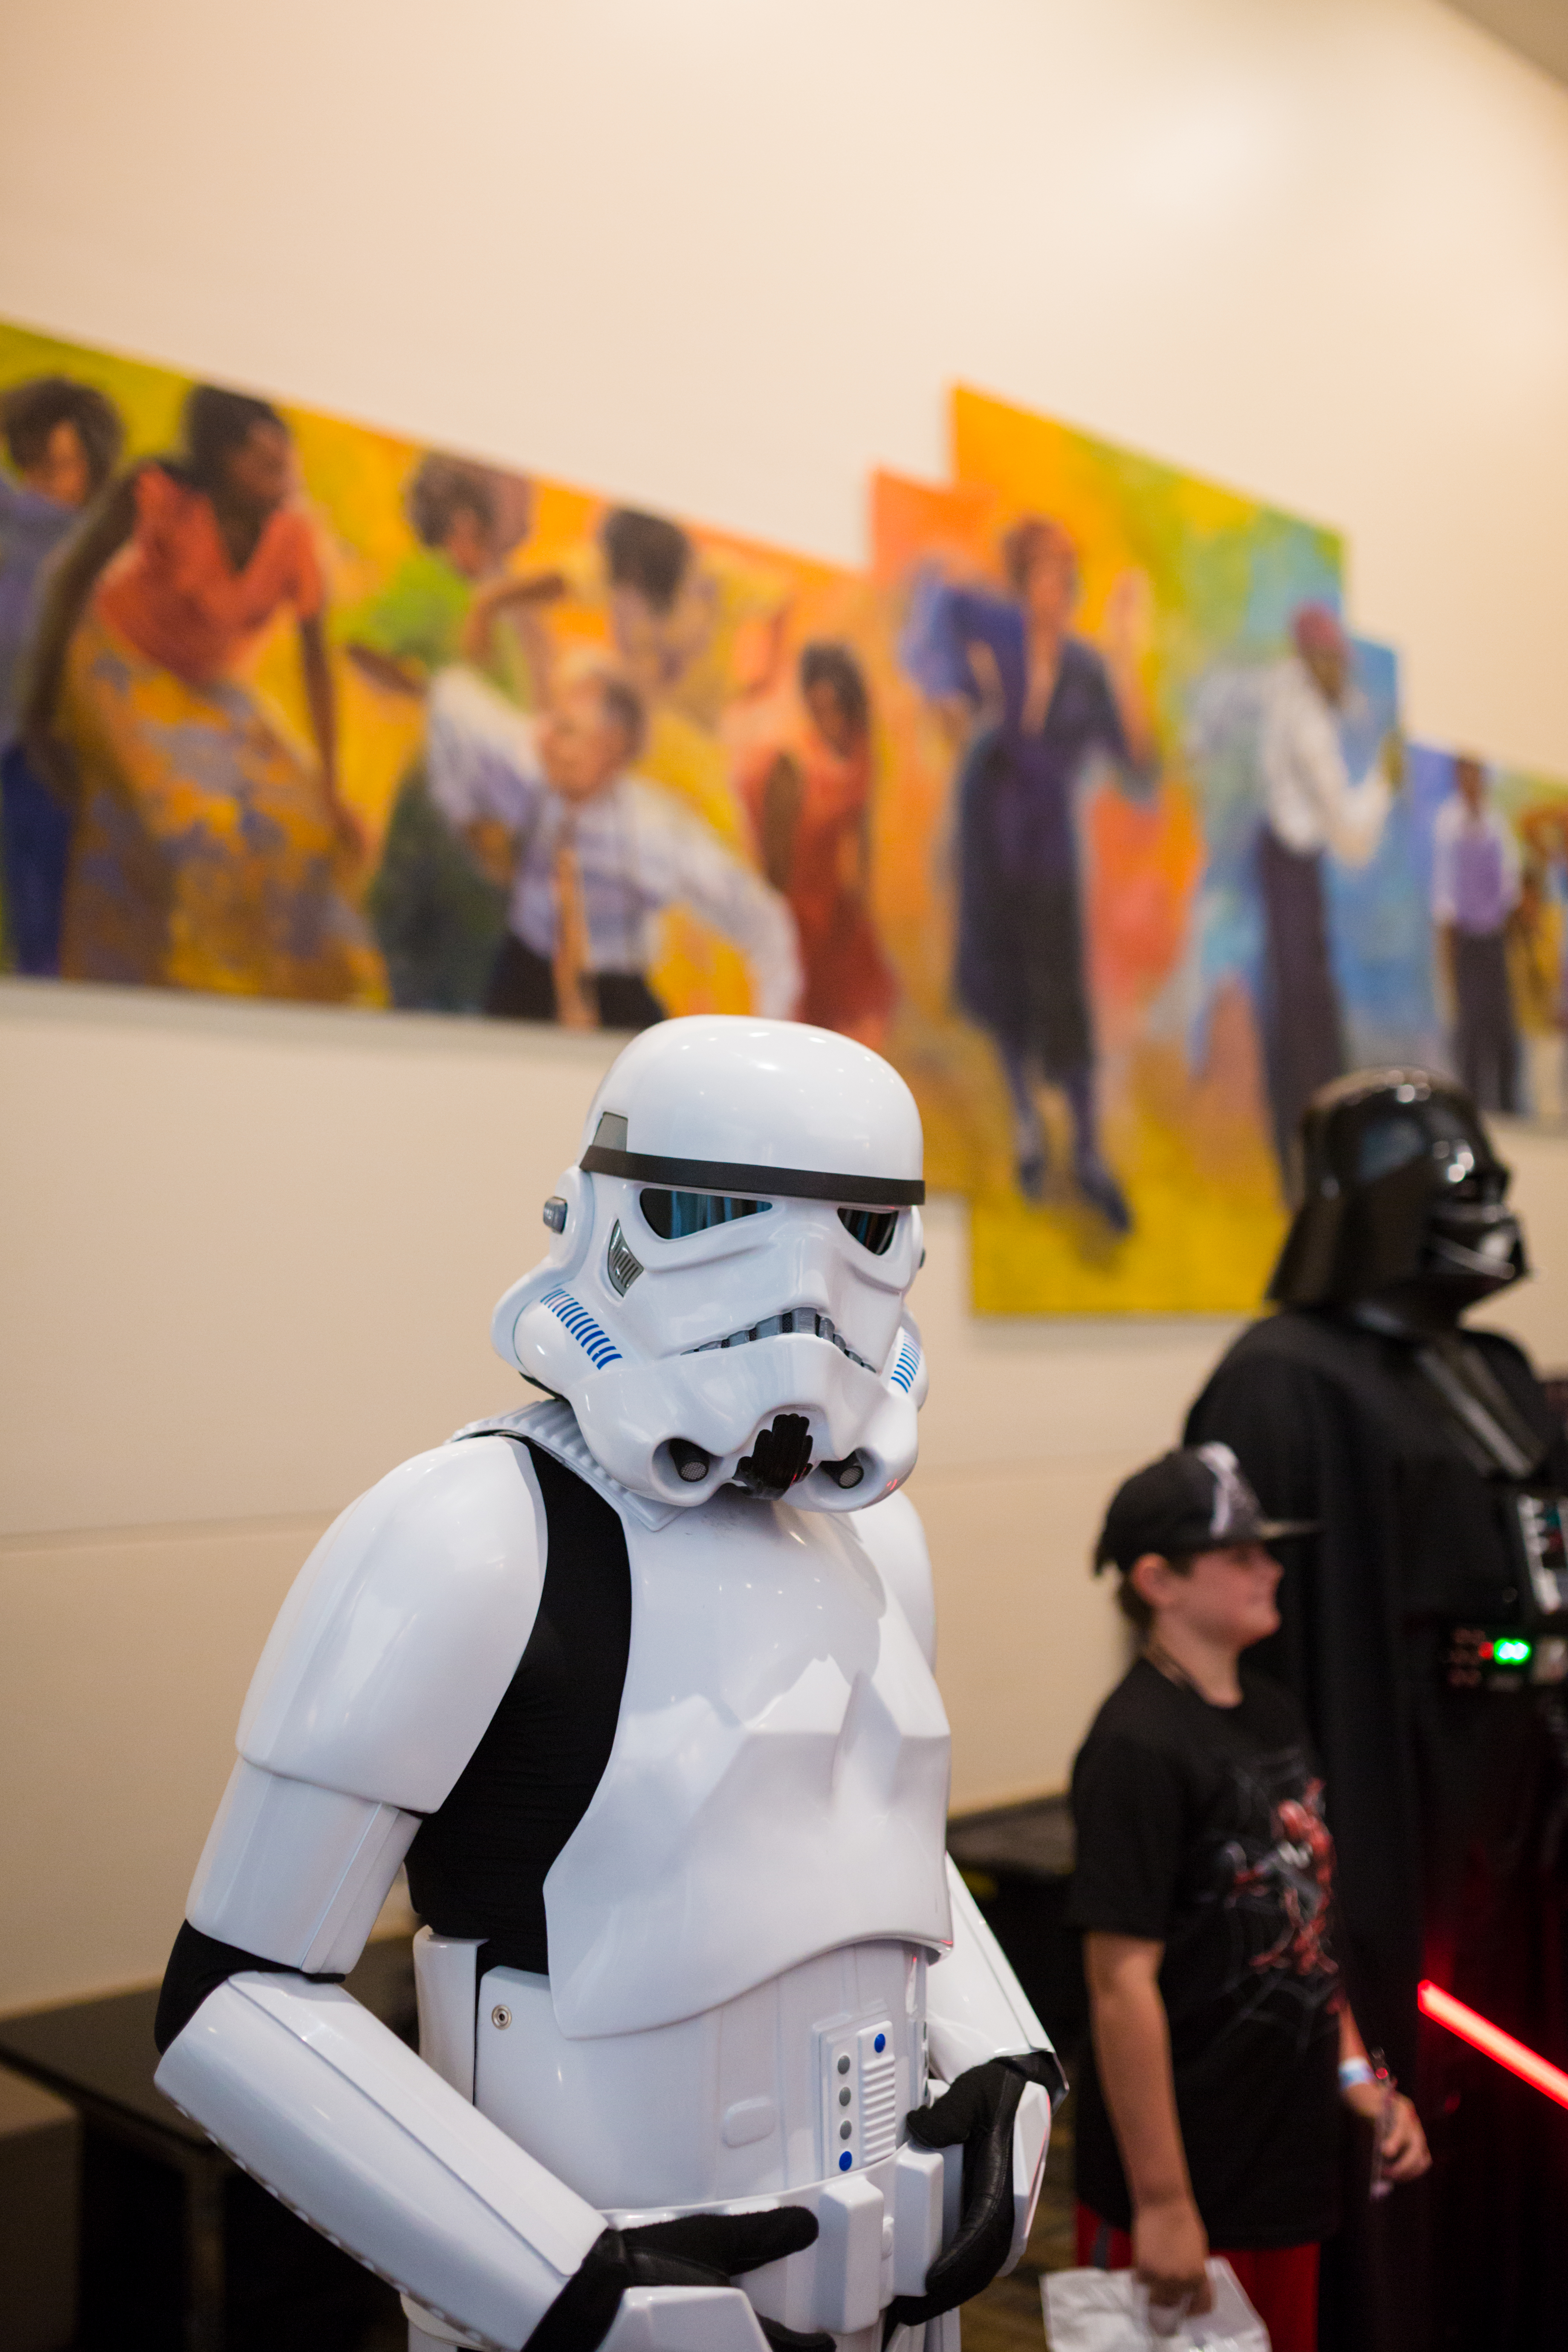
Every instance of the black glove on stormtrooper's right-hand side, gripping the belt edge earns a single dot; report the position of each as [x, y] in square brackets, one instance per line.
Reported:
[977, 2113]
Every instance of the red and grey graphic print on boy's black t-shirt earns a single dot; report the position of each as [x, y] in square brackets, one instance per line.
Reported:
[1275, 1883]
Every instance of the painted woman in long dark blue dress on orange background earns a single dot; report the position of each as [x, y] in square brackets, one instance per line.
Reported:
[1043, 704]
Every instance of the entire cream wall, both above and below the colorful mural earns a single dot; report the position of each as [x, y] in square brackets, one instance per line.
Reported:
[725, 258]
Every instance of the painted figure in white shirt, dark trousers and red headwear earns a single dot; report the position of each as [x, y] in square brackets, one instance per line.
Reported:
[1311, 808]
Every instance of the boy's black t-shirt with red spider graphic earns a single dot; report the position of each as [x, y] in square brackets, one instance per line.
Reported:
[1202, 1831]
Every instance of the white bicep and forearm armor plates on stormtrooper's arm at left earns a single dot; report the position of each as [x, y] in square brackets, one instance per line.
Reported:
[323, 2104]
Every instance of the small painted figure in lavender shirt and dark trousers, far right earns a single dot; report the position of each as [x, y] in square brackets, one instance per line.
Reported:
[1475, 893]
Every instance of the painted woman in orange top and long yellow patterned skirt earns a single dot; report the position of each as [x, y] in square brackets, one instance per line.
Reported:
[210, 850]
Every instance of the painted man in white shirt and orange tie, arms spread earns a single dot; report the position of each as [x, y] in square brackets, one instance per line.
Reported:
[594, 853]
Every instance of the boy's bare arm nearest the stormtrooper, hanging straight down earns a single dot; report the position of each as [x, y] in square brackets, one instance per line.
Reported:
[1134, 2057]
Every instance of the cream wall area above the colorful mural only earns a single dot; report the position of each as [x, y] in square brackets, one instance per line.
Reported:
[728, 255]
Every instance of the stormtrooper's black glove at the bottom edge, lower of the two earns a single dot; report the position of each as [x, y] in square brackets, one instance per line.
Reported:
[702, 2250]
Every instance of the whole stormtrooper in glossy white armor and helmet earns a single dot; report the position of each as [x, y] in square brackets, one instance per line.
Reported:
[641, 1685]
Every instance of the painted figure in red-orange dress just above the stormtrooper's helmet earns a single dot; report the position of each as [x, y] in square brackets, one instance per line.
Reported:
[810, 810]
